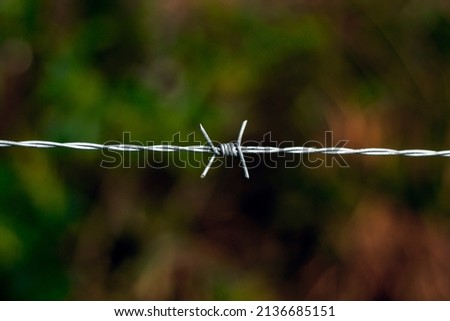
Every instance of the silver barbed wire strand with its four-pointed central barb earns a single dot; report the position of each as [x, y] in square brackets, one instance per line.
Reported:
[227, 149]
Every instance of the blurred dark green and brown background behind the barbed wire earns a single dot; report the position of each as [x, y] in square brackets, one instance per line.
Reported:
[376, 73]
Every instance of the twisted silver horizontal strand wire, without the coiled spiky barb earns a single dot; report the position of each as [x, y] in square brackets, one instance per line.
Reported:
[244, 149]
